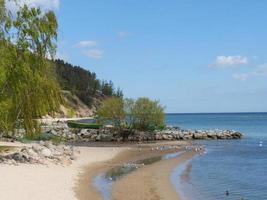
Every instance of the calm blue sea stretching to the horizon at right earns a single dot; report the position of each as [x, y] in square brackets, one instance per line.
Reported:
[239, 166]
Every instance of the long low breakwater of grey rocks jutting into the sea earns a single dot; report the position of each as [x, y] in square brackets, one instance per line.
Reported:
[170, 133]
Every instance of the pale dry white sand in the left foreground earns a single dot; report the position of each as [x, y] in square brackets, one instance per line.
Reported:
[53, 182]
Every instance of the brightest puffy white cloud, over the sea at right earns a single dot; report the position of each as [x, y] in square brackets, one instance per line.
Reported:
[229, 61]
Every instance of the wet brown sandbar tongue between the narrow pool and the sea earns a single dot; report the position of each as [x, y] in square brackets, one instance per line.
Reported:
[151, 182]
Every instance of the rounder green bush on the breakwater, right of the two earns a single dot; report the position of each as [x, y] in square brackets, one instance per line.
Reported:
[147, 114]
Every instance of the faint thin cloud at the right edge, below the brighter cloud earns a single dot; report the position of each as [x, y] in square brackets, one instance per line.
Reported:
[259, 71]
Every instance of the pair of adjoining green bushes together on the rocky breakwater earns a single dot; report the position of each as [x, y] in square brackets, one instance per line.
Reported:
[141, 114]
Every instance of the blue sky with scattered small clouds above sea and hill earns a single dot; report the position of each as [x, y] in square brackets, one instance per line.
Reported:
[193, 56]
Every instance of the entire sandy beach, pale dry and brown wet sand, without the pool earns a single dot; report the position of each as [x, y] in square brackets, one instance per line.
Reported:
[74, 181]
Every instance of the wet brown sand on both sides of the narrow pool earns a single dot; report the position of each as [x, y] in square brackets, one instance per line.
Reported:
[131, 186]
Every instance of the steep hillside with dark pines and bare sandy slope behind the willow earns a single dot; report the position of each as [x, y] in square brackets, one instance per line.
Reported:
[82, 90]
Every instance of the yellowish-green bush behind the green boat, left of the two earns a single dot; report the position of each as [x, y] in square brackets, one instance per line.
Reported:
[112, 110]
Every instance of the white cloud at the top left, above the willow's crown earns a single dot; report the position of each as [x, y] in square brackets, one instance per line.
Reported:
[43, 4]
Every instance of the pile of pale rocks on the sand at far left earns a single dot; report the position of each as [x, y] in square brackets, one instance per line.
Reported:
[39, 153]
